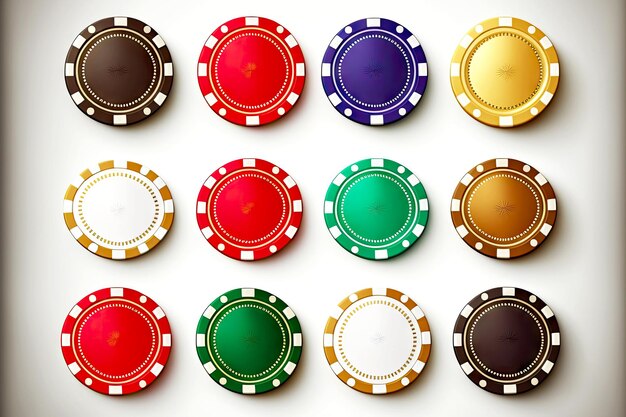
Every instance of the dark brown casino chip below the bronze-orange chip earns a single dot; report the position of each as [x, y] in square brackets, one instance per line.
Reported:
[507, 340]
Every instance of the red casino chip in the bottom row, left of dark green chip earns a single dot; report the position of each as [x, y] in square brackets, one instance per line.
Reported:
[116, 341]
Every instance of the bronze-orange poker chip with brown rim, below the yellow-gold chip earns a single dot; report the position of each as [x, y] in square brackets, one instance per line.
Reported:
[503, 208]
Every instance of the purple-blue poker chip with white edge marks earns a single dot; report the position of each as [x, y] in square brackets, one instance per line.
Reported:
[374, 71]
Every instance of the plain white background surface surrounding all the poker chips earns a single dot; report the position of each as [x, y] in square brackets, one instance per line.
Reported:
[577, 143]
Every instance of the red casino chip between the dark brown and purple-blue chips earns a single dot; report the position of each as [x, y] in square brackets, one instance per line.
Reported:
[251, 71]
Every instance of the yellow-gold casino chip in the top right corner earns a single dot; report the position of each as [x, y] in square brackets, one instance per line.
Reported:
[504, 72]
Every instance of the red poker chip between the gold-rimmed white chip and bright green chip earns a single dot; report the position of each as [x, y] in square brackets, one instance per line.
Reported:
[249, 209]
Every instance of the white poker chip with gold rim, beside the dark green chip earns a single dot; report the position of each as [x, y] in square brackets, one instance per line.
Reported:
[377, 341]
